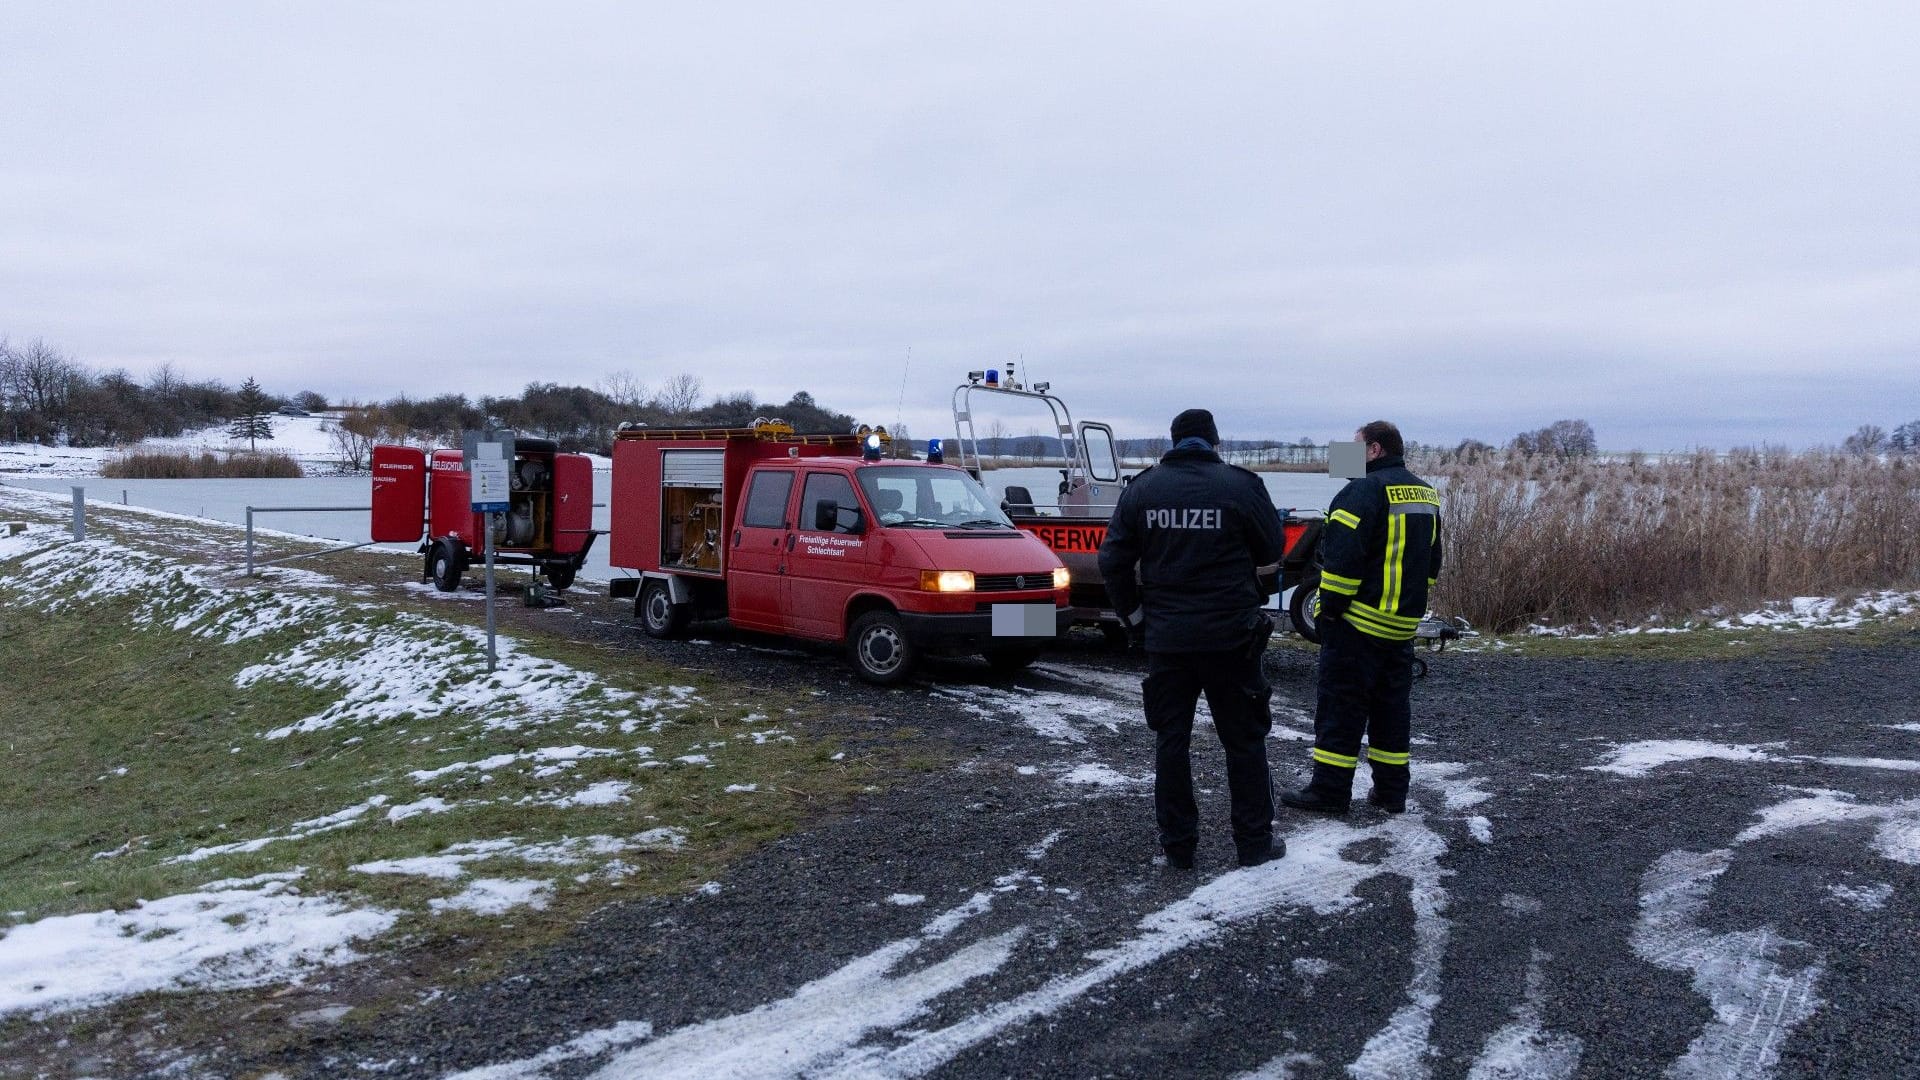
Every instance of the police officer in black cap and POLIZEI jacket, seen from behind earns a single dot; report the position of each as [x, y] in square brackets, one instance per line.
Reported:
[1197, 529]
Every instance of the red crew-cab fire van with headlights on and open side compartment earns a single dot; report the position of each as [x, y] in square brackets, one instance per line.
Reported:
[821, 537]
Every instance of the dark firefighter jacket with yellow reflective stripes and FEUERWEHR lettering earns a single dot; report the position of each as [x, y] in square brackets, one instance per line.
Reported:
[1381, 551]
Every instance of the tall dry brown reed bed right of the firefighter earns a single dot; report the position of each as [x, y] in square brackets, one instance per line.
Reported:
[1591, 543]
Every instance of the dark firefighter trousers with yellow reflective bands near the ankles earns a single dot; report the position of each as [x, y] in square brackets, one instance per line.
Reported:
[1366, 689]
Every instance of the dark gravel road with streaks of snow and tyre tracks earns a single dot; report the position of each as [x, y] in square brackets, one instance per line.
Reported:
[1612, 868]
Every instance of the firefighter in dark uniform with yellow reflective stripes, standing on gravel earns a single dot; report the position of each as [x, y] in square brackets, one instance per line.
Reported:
[1381, 556]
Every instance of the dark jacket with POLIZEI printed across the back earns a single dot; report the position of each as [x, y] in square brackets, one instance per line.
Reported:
[1197, 529]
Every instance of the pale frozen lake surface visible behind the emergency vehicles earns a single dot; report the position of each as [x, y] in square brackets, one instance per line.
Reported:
[228, 501]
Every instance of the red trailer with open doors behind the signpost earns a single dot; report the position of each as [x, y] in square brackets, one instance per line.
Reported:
[427, 497]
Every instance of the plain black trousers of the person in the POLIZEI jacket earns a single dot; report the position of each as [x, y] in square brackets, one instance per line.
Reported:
[1239, 695]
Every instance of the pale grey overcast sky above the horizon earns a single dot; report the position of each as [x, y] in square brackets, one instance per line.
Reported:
[1689, 224]
